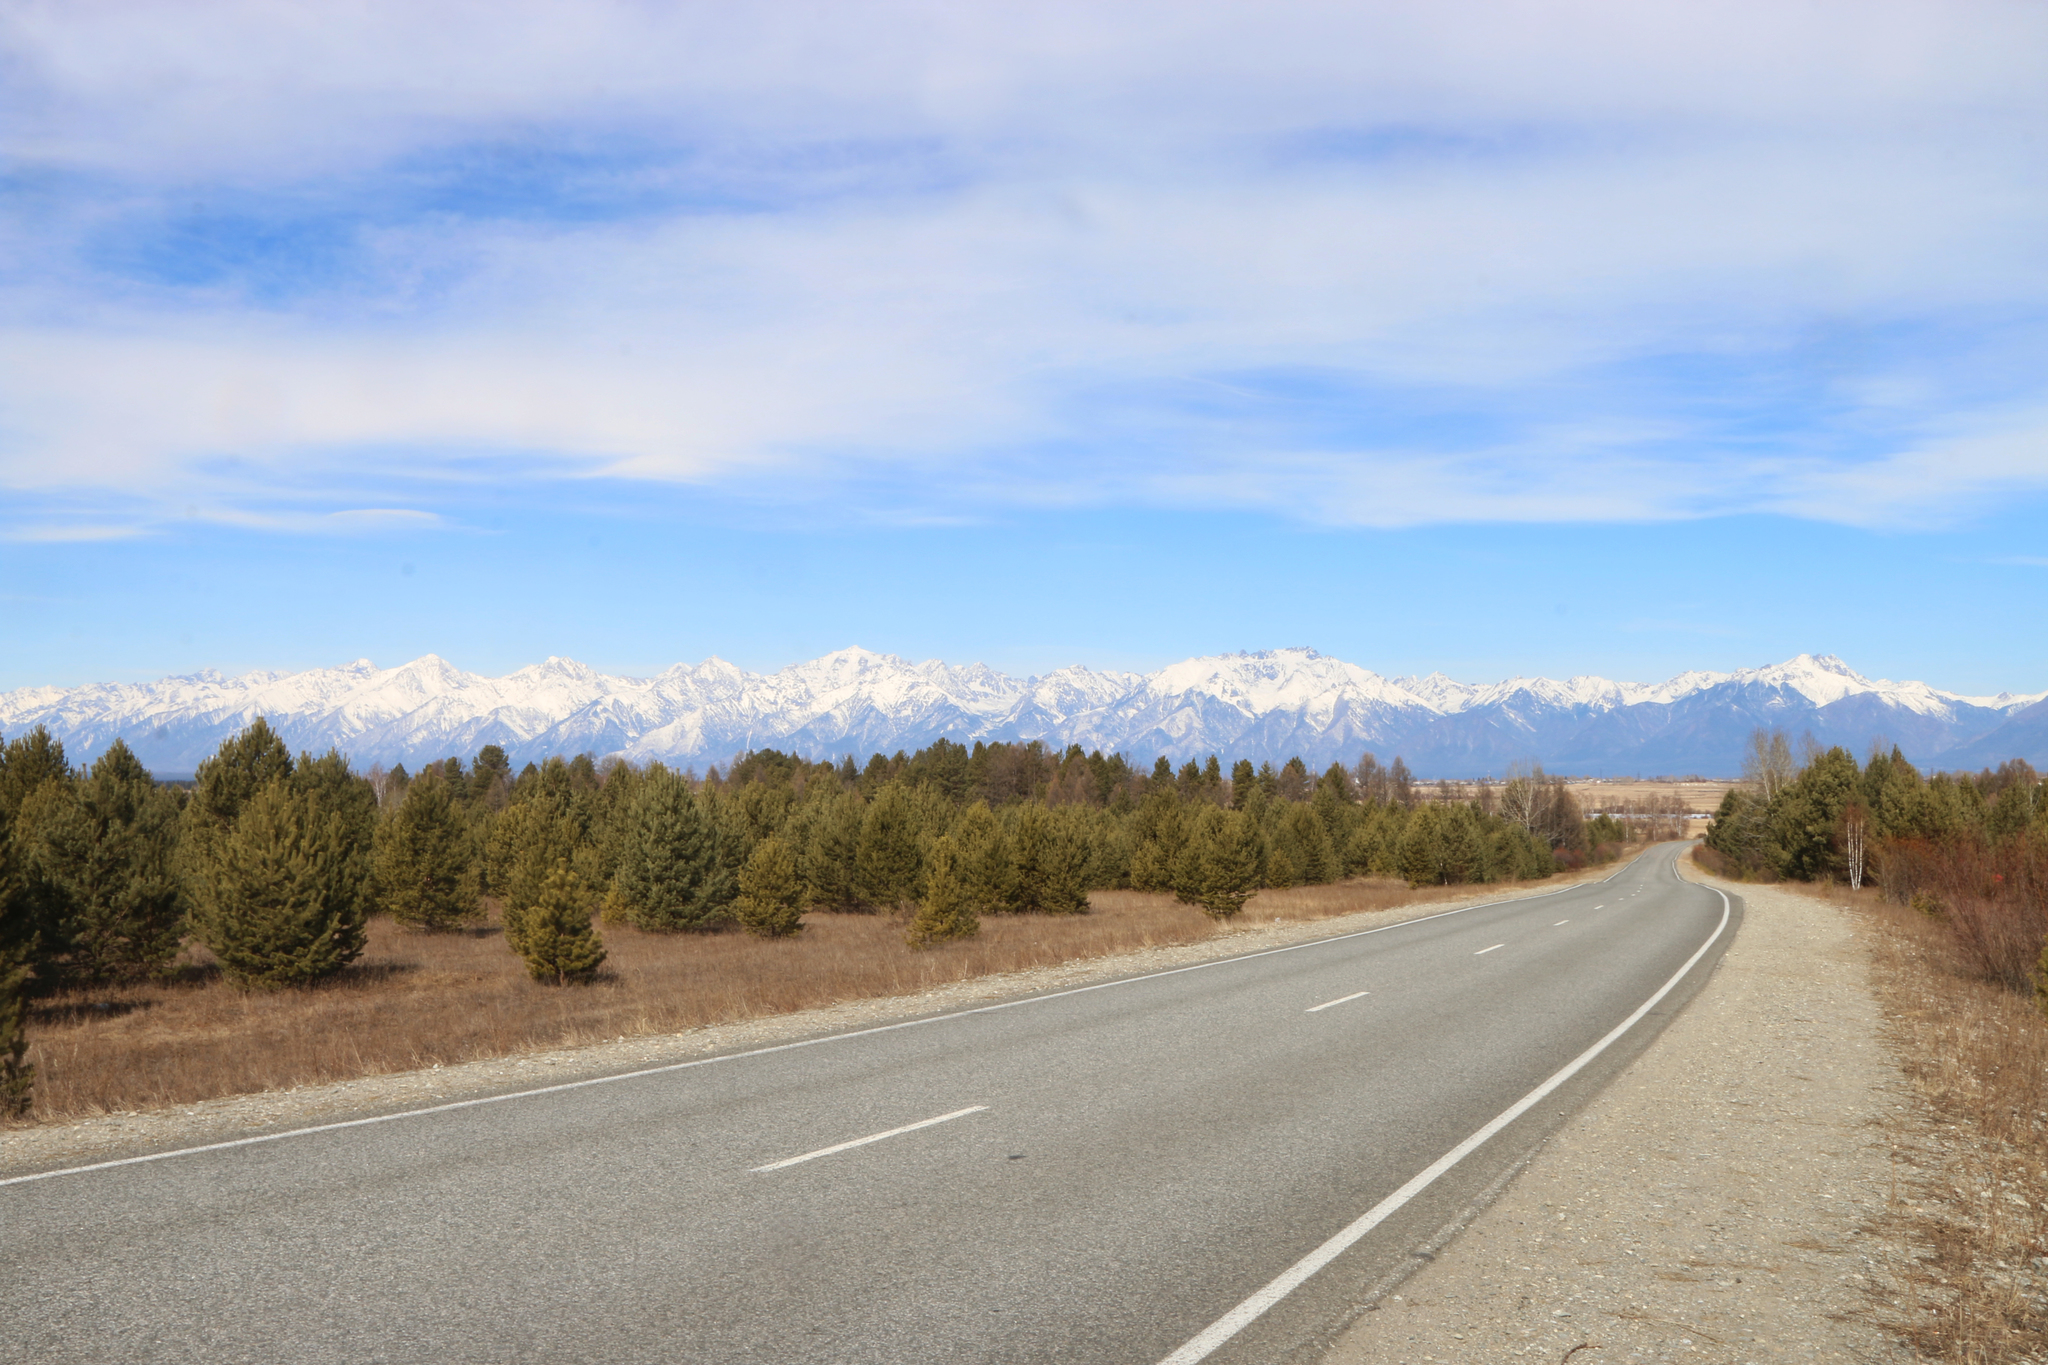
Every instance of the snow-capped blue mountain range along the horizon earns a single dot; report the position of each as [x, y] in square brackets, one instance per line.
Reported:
[1265, 705]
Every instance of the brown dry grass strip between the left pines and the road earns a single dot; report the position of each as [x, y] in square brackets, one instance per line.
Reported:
[417, 1000]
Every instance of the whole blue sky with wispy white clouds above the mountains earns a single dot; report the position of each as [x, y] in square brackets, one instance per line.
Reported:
[1490, 339]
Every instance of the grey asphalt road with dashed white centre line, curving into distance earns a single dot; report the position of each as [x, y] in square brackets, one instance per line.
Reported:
[1123, 1165]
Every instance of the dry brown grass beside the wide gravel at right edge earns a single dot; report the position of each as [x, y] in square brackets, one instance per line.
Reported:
[1971, 1206]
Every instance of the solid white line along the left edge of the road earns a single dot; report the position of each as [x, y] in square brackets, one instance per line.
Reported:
[802, 1043]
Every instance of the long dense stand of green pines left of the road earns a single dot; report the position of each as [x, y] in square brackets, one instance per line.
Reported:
[275, 863]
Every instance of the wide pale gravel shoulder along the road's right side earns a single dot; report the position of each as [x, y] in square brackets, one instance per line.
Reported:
[1713, 1204]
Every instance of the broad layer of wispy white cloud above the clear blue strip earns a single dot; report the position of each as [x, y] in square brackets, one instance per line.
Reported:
[1379, 265]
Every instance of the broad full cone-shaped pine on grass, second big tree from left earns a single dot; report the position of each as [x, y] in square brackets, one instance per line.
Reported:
[278, 904]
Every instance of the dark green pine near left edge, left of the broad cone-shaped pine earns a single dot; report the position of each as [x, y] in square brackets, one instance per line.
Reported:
[99, 858]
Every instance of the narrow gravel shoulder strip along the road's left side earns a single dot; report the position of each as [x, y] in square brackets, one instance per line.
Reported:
[239, 1116]
